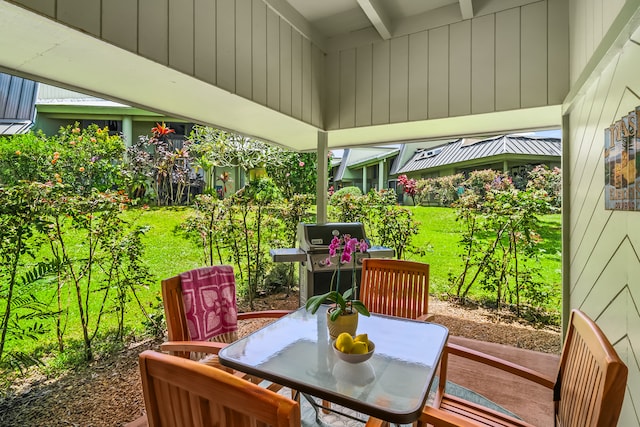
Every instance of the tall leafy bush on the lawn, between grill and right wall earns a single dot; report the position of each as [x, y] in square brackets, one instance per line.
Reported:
[501, 240]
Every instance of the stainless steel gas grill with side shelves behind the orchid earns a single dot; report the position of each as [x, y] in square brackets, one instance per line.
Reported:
[313, 250]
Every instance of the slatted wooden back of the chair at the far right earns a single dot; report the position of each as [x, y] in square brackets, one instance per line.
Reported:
[592, 377]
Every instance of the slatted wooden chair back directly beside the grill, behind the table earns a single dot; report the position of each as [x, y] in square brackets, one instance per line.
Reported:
[395, 287]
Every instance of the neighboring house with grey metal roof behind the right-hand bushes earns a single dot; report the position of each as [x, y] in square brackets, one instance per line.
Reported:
[512, 154]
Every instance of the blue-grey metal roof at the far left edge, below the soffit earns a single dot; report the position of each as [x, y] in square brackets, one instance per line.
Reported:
[17, 104]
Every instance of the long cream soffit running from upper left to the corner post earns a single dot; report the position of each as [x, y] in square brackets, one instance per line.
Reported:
[38, 48]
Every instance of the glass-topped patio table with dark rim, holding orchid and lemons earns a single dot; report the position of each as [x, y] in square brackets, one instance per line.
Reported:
[296, 351]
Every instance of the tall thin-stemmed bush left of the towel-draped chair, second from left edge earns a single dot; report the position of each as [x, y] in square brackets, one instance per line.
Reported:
[91, 266]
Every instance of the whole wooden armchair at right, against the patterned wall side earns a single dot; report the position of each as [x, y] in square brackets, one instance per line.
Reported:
[588, 392]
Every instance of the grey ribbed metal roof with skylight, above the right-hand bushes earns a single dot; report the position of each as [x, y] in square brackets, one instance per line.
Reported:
[466, 149]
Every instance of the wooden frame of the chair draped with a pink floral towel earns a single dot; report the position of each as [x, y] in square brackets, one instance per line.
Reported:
[180, 342]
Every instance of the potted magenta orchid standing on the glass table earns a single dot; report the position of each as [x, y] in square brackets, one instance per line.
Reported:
[344, 248]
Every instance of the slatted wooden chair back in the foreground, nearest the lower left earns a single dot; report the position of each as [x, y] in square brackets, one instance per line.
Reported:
[181, 392]
